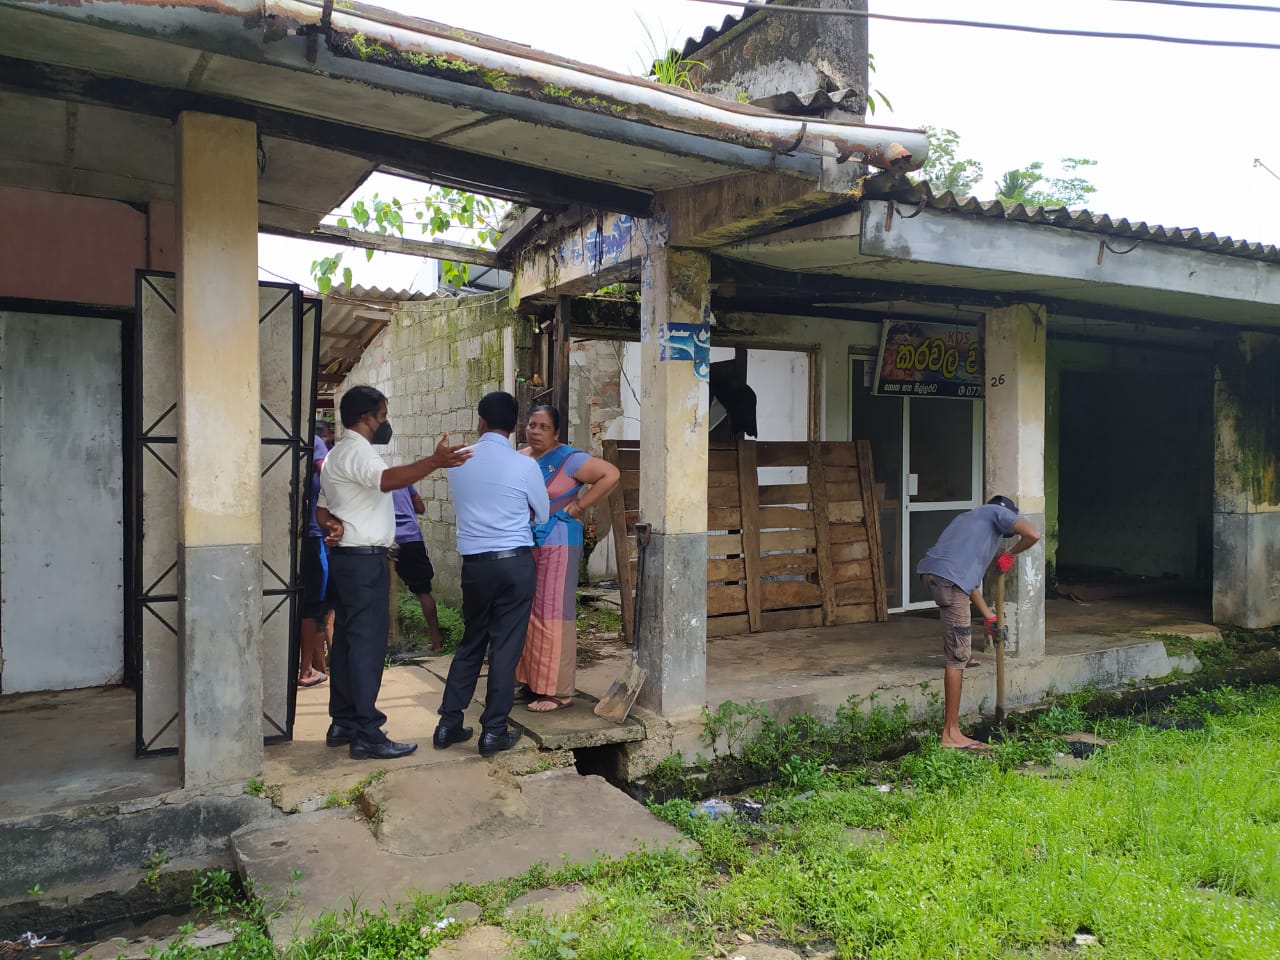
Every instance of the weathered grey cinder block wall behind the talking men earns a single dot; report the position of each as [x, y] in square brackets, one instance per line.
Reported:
[435, 363]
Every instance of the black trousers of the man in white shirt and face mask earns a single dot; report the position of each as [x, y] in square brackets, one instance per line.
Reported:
[359, 587]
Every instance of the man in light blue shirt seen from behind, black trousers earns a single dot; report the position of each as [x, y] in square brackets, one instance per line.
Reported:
[495, 497]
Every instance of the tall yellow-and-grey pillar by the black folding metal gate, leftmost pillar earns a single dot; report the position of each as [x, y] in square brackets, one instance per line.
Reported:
[220, 524]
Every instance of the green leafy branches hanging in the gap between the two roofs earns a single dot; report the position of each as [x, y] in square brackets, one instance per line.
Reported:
[440, 212]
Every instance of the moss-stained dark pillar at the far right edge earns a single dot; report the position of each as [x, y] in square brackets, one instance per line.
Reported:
[1247, 483]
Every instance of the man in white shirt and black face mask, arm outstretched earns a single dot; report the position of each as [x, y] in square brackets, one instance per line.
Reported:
[356, 510]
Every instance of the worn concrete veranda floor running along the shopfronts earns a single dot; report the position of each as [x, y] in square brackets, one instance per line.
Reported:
[74, 748]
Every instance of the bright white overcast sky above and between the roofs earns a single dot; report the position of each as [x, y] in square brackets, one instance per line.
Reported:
[1176, 130]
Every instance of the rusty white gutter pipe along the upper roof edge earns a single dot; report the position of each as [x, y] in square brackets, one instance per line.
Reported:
[540, 76]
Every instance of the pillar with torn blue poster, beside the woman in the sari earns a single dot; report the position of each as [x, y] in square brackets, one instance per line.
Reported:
[675, 348]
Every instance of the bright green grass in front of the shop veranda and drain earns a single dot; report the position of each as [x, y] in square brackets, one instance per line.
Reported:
[1164, 845]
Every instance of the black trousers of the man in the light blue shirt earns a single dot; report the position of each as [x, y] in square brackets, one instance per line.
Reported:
[497, 596]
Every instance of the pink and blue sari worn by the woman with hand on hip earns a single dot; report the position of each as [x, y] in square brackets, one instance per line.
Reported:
[551, 646]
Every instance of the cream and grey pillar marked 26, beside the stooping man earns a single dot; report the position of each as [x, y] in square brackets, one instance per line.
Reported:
[1014, 355]
